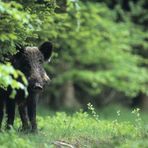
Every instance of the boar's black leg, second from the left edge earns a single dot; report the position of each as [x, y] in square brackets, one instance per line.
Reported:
[10, 112]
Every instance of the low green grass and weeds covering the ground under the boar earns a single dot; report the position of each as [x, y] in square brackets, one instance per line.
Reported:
[82, 130]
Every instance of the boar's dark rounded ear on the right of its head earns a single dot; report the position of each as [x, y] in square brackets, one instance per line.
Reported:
[46, 50]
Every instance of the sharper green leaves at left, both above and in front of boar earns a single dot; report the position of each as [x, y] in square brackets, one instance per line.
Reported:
[19, 25]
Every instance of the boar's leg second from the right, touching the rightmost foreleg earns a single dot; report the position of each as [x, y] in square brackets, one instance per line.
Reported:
[23, 115]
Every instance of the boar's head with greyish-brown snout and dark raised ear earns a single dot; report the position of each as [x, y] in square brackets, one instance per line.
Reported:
[30, 61]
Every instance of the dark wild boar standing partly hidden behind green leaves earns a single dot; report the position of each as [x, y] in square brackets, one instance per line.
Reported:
[30, 61]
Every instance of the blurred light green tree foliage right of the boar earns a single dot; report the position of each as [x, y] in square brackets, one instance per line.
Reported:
[98, 52]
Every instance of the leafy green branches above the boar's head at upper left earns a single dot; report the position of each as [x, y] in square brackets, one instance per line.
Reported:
[21, 24]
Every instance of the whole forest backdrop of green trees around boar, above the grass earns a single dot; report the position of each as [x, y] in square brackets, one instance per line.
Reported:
[100, 49]
